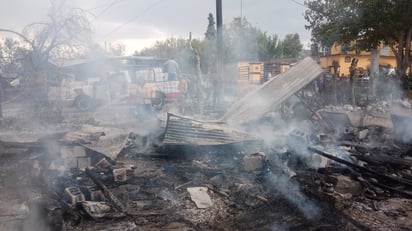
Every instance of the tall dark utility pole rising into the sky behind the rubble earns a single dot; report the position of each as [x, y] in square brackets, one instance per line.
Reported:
[219, 83]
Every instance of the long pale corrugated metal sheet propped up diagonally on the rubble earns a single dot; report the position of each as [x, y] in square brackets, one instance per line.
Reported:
[268, 96]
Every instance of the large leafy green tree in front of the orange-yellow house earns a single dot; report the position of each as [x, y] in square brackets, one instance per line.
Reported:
[369, 21]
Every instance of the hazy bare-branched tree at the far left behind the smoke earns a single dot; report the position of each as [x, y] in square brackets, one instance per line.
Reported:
[67, 29]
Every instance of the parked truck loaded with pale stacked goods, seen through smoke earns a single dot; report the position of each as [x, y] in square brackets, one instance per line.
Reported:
[147, 86]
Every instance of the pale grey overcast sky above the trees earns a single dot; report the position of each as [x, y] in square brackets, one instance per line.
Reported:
[139, 23]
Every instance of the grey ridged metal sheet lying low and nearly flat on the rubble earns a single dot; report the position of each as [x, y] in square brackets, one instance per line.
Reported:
[185, 131]
